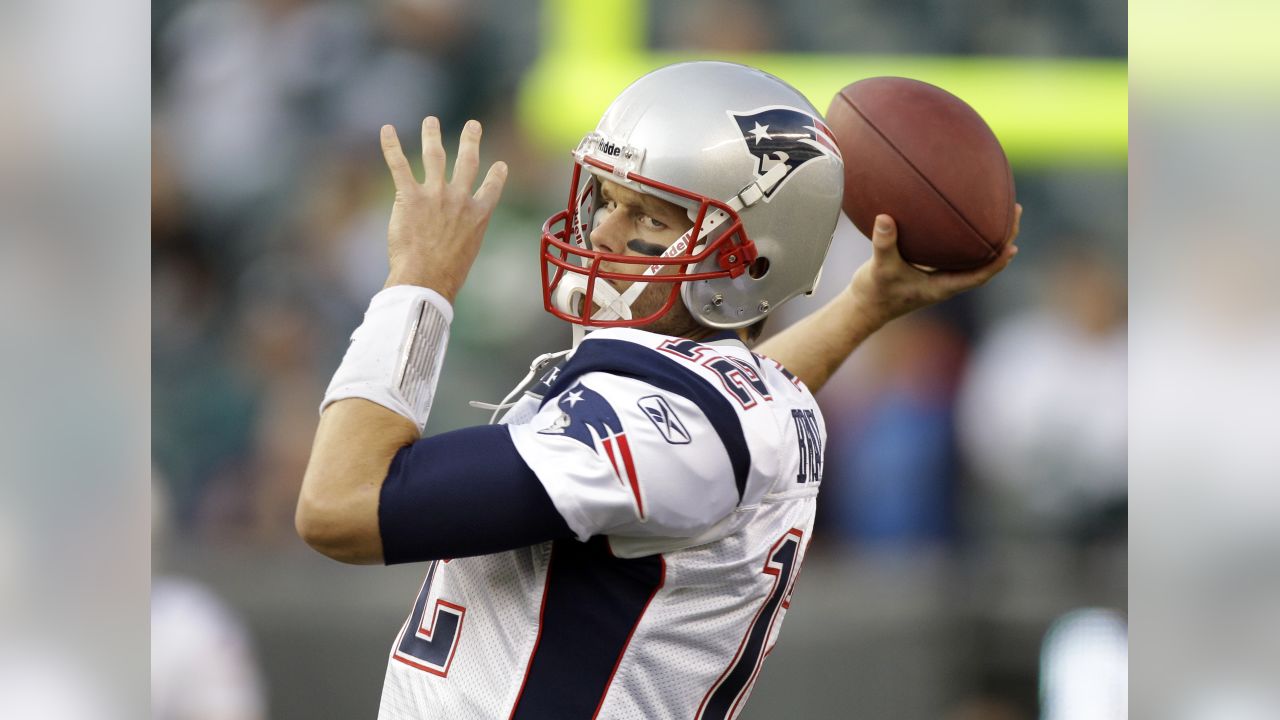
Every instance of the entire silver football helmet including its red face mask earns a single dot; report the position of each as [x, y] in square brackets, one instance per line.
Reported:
[751, 161]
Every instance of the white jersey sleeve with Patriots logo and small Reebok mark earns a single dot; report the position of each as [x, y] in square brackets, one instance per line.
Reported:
[619, 457]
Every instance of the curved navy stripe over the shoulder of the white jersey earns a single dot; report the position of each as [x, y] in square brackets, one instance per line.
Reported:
[632, 361]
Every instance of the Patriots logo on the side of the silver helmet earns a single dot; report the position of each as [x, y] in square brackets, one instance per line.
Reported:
[780, 135]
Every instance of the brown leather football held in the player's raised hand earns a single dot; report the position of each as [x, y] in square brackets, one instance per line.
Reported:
[925, 157]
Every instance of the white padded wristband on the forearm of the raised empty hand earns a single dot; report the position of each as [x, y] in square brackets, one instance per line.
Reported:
[395, 357]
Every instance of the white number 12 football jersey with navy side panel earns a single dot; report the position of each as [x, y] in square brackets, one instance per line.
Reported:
[689, 473]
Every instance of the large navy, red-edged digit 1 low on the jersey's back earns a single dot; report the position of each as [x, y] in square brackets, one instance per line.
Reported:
[726, 696]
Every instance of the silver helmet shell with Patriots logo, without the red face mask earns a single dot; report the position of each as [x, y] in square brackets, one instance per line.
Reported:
[715, 130]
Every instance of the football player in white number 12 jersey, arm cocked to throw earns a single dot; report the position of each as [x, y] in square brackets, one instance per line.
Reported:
[624, 541]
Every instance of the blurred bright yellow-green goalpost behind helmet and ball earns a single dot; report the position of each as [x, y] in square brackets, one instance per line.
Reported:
[1045, 111]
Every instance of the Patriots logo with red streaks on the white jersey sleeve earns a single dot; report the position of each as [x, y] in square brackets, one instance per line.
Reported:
[587, 417]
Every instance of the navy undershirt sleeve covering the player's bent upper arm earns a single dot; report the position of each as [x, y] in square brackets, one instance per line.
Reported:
[460, 494]
